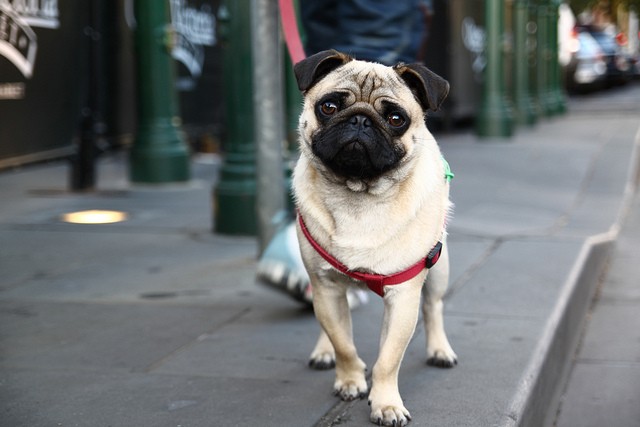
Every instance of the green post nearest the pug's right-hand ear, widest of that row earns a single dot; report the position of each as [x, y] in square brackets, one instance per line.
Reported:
[495, 116]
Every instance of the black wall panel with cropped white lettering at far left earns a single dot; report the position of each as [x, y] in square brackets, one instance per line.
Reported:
[40, 60]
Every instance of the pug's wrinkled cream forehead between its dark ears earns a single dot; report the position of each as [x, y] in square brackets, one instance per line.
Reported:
[365, 81]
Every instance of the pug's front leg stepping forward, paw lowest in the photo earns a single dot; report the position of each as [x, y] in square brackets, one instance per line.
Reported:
[401, 307]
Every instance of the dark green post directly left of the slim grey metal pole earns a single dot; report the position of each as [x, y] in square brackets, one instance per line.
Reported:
[235, 194]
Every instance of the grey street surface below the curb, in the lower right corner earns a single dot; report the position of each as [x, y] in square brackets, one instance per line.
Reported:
[604, 385]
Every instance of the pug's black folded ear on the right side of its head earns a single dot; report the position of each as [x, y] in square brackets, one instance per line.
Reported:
[429, 88]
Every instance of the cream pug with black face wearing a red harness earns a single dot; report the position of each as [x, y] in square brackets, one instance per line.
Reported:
[372, 194]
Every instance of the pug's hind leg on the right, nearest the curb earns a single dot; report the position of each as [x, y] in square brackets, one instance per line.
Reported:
[439, 351]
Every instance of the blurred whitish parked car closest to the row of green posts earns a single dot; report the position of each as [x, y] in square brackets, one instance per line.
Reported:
[587, 67]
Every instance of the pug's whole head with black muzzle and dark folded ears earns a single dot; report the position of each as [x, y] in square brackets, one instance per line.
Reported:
[362, 120]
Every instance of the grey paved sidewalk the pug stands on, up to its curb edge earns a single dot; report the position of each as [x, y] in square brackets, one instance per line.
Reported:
[158, 322]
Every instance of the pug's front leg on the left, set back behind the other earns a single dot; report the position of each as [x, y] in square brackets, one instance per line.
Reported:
[332, 311]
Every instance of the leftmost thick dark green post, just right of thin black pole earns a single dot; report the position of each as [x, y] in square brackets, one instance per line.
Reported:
[159, 153]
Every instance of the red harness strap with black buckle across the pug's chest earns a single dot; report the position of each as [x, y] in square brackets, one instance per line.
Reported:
[375, 282]
